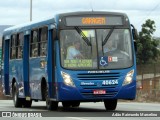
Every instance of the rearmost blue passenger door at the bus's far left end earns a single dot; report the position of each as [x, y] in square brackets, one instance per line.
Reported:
[6, 67]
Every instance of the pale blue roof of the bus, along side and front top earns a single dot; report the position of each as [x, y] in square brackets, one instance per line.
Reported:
[34, 24]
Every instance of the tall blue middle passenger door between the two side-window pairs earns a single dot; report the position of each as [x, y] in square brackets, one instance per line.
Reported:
[26, 65]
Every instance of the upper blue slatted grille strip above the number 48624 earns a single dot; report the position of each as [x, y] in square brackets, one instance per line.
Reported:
[98, 76]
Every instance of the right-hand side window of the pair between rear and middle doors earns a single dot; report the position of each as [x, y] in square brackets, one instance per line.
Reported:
[20, 45]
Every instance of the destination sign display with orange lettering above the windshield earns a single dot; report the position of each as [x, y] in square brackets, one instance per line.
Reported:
[94, 21]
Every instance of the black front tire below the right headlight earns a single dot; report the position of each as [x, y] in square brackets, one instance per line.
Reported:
[110, 104]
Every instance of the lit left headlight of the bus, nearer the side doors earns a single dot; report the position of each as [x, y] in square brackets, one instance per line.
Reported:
[67, 79]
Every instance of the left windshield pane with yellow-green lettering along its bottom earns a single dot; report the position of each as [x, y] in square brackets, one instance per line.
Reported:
[75, 52]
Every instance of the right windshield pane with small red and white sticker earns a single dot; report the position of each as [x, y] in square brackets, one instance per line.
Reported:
[117, 48]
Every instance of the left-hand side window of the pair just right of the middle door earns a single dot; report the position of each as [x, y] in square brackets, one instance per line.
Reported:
[34, 43]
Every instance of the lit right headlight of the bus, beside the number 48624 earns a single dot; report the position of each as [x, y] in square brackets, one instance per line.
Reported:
[128, 78]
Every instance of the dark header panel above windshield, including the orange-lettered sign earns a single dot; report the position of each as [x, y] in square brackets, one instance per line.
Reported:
[92, 19]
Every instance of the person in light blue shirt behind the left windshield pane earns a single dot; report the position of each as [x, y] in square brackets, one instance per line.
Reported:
[73, 52]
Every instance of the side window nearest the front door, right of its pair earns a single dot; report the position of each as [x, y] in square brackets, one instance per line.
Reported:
[43, 41]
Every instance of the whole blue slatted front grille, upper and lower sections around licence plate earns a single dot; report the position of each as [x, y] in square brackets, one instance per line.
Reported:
[88, 90]
